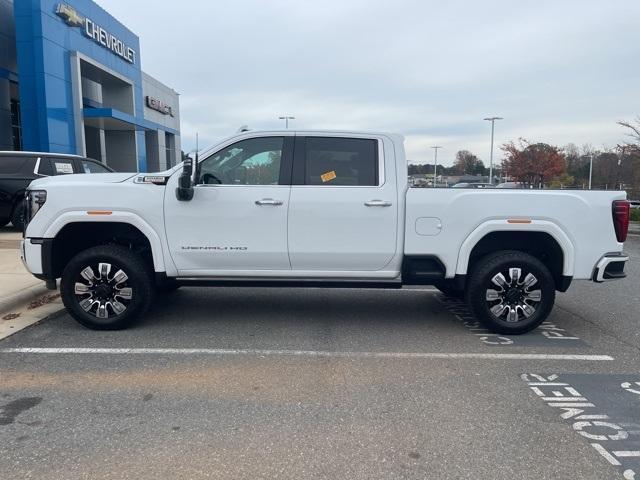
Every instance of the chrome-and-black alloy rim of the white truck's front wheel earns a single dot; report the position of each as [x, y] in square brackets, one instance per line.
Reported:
[105, 294]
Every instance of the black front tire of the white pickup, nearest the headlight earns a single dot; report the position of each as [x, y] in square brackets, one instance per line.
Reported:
[110, 293]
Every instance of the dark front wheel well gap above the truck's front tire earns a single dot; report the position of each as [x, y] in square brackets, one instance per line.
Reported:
[76, 237]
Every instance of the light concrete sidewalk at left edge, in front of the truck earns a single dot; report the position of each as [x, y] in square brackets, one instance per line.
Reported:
[24, 299]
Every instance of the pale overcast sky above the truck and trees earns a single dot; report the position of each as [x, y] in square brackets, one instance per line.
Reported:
[557, 71]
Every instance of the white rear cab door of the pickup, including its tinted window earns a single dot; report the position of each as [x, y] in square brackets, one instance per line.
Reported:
[343, 212]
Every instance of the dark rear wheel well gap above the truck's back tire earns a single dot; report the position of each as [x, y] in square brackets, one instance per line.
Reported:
[538, 244]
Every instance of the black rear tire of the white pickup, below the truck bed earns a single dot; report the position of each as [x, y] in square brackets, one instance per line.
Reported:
[532, 303]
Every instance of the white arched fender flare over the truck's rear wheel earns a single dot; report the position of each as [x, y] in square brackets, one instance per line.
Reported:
[503, 225]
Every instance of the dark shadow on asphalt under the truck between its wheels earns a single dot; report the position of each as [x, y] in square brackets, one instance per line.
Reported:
[269, 305]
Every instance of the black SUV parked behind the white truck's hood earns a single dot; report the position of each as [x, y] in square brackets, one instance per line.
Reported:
[19, 169]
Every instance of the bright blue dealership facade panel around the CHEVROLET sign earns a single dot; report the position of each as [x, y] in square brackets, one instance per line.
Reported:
[45, 43]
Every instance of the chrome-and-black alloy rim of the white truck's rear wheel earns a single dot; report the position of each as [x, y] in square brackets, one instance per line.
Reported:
[514, 299]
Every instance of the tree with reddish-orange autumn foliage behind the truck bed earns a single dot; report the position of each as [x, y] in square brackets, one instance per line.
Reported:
[533, 163]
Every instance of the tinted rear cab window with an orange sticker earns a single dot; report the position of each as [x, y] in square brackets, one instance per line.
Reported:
[337, 161]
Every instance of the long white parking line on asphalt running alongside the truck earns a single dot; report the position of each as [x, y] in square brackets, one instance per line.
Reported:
[306, 353]
